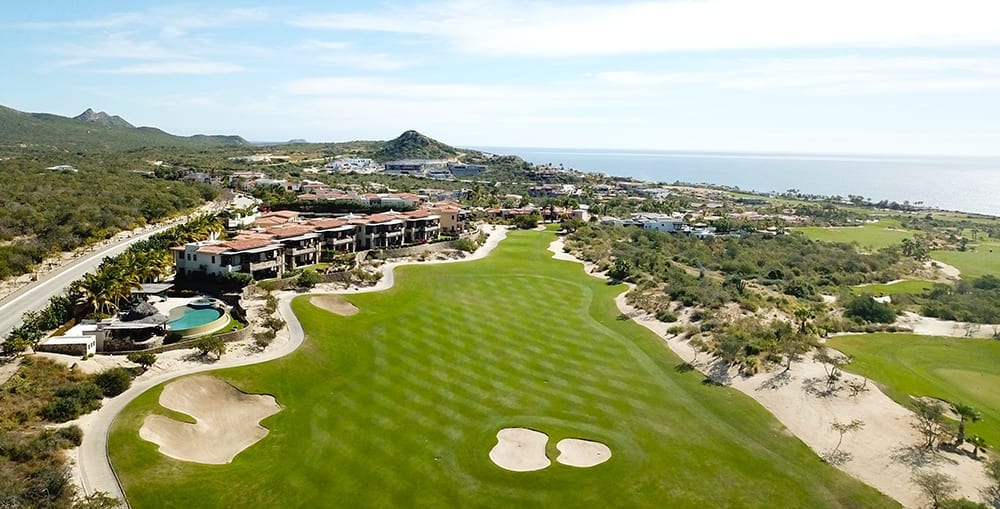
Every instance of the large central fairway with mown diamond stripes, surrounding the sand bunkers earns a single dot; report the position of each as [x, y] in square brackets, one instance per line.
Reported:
[399, 406]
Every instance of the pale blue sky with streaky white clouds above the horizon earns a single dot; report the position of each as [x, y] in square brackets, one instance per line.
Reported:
[814, 76]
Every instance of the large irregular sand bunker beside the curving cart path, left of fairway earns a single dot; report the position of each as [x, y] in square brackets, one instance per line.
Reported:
[228, 421]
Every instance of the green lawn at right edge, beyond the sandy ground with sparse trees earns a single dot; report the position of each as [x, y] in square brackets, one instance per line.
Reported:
[952, 369]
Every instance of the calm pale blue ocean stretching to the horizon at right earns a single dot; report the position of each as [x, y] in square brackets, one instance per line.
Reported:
[968, 184]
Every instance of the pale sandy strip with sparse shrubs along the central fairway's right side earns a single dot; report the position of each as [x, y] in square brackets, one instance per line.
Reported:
[881, 454]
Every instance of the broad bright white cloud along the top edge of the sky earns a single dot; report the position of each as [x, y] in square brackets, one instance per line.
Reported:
[549, 30]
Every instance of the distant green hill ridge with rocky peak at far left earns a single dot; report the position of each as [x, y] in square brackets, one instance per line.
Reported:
[92, 130]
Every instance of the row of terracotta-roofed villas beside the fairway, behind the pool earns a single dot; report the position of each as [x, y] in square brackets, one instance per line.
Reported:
[285, 240]
